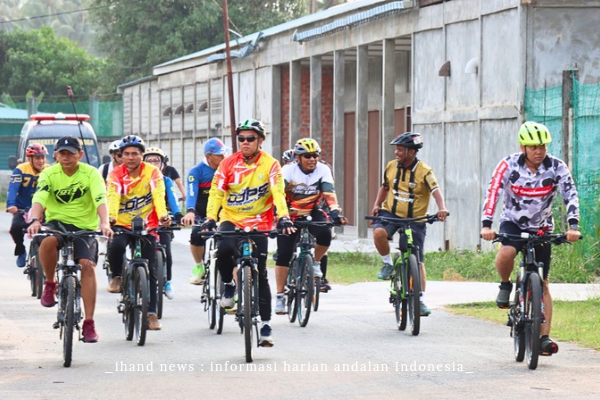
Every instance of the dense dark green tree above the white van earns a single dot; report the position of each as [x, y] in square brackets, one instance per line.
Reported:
[39, 61]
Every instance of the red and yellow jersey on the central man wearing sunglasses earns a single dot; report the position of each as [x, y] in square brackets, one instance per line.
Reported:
[246, 194]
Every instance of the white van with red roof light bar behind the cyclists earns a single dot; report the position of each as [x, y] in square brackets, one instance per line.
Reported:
[46, 129]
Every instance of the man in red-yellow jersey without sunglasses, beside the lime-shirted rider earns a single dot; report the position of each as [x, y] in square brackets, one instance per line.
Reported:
[136, 188]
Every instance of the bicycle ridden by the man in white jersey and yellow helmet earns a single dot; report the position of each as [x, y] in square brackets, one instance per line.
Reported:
[303, 288]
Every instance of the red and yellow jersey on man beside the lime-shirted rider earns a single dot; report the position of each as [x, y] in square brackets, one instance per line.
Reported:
[143, 196]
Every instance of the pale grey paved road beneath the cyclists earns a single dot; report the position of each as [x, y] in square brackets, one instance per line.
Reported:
[350, 349]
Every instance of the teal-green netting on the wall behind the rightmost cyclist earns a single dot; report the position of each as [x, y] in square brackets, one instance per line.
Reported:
[546, 106]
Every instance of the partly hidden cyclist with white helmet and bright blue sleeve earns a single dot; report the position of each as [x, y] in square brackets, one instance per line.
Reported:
[156, 157]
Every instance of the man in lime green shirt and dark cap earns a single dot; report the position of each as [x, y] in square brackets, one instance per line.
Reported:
[74, 198]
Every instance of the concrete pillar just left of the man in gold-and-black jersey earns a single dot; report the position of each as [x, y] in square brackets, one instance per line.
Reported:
[361, 135]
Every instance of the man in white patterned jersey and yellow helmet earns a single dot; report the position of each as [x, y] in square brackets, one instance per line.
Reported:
[307, 182]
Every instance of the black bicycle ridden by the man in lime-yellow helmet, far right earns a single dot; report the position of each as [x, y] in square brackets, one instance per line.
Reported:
[526, 312]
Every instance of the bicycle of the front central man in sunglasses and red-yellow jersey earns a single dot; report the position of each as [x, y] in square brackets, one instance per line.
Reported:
[247, 284]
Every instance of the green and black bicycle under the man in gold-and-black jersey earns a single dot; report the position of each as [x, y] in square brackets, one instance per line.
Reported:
[405, 286]
